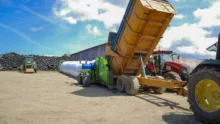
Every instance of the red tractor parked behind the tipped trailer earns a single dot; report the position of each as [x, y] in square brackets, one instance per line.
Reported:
[166, 63]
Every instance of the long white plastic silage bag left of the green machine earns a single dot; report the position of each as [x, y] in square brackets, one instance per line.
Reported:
[72, 67]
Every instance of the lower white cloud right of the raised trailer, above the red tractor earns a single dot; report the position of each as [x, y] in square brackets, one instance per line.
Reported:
[188, 39]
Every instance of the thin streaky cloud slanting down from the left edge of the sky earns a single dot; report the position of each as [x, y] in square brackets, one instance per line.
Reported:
[23, 36]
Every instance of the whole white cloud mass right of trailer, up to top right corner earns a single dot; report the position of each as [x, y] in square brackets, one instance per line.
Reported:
[192, 40]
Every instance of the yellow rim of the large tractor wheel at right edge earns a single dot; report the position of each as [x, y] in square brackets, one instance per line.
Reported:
[207, 95]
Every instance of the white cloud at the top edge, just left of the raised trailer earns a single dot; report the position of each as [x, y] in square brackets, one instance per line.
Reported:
[103, 11]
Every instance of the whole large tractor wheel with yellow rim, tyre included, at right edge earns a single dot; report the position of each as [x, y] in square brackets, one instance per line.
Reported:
[204, 95]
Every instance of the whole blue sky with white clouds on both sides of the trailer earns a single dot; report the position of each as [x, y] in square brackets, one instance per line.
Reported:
[56, 27]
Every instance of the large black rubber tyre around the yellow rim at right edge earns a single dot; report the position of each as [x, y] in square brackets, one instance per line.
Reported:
[209, 73]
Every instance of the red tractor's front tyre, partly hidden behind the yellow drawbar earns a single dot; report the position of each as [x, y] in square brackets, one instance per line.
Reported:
[173, 76]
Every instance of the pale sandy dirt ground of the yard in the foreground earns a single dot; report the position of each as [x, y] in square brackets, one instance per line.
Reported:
[53, 98]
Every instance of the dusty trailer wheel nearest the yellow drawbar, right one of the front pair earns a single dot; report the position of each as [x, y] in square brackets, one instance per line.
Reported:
[132, 85]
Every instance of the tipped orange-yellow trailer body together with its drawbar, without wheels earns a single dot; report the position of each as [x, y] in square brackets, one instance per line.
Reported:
[142, 27]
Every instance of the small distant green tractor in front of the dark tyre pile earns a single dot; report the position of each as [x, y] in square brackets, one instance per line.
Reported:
[29, 65]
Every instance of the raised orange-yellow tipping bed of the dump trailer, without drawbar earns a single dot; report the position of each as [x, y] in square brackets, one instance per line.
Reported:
[143, 27]
